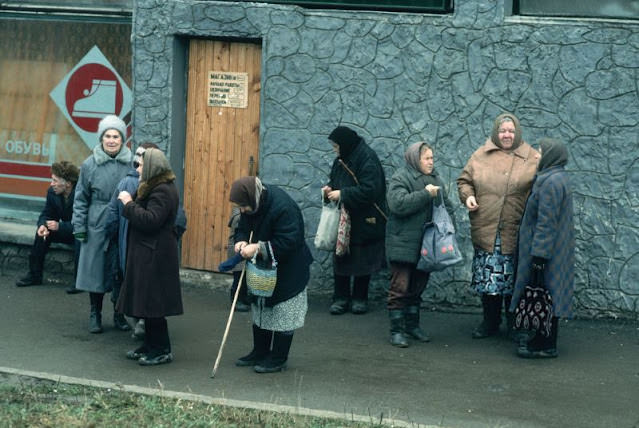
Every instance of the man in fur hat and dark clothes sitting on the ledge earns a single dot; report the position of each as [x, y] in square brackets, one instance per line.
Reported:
[54, 224]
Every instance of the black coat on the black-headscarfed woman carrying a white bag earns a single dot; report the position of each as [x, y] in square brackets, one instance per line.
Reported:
[367, 224]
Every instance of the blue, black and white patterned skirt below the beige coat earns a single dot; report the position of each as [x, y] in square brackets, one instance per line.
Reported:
[493, 273]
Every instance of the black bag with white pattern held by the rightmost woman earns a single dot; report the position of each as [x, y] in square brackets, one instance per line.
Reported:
[534, 311]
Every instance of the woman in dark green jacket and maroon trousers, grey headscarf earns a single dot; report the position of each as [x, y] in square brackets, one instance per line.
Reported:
[412, 192]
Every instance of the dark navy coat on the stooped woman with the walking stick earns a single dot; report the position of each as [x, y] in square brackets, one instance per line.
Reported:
[278, 220]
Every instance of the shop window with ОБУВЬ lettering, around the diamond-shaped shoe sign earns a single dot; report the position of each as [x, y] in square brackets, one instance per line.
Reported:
[35, 56]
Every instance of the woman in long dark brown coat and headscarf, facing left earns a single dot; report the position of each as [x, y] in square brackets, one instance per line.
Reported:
[151, 287]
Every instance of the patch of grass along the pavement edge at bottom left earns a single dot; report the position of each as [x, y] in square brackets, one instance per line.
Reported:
[30, 402]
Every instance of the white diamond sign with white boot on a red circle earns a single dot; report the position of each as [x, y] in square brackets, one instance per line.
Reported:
[91, 90]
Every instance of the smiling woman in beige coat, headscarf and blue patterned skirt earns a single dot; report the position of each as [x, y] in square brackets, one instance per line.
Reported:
[493, 186]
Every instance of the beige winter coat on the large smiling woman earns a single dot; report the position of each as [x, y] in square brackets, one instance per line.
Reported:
[500, 181]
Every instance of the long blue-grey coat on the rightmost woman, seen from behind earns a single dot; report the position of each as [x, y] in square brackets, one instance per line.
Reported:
[547, 231]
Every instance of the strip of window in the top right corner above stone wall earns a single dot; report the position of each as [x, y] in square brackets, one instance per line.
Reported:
[578, 8]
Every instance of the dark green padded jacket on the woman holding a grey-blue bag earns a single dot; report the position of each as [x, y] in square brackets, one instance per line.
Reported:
[411, 207]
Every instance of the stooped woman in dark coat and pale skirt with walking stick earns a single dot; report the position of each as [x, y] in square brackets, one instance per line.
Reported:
[271, 227]
